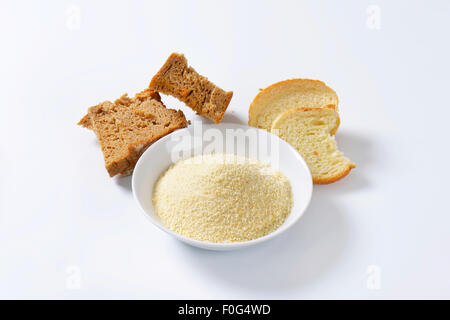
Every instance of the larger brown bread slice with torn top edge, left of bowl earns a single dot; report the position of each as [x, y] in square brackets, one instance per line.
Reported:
[128, 126]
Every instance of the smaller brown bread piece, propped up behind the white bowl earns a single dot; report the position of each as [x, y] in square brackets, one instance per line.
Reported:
[177, 79]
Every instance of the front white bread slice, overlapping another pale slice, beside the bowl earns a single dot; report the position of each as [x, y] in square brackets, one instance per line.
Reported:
[310, 131]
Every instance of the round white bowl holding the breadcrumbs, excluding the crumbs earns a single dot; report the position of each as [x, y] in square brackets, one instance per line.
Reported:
[199, 138]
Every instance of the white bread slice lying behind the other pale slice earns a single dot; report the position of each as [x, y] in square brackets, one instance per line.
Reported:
[289, 94]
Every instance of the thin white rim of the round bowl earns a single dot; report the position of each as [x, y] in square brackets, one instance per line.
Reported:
[222, 245]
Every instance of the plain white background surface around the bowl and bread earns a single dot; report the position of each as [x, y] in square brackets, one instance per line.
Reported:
[69, 231]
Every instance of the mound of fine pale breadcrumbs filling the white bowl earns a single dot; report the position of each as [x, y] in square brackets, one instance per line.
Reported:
[222, 198]
